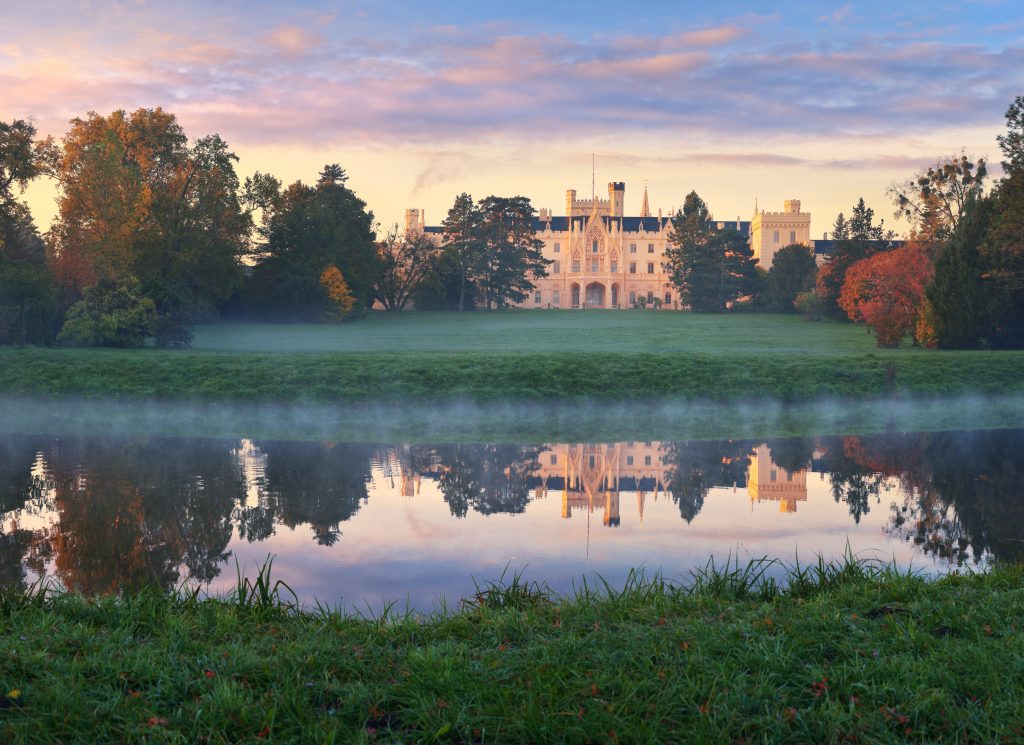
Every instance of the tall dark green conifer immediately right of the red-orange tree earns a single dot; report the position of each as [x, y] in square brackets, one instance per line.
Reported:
[960, 294]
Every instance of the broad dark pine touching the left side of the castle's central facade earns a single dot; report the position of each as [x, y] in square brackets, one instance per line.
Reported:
[510, 255]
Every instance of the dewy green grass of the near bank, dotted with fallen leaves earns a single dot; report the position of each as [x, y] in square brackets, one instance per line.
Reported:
[849, 653]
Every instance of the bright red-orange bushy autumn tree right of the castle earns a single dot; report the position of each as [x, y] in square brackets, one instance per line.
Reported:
[886, 292]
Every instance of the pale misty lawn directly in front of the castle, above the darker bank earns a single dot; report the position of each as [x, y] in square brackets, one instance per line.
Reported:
[560, 332]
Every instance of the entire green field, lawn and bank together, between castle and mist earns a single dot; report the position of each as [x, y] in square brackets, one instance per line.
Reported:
[517, 356]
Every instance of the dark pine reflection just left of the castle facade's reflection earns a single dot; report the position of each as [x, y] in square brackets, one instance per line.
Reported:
[488, 478]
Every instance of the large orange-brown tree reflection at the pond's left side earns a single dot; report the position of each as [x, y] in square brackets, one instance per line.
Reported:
[132, 513]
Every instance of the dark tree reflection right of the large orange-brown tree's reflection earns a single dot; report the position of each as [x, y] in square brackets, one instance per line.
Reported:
[323, 485]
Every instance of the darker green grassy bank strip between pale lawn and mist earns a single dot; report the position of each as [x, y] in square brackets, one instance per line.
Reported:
[489, 377]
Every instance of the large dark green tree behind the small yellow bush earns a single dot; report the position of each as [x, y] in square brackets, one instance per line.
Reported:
[307, 230]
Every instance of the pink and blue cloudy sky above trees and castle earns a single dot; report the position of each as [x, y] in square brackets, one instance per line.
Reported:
[746, 103]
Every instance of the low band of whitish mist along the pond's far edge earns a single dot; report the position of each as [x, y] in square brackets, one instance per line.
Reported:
[507, 421]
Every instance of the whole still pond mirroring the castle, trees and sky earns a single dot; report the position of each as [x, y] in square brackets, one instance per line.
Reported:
[360, 525]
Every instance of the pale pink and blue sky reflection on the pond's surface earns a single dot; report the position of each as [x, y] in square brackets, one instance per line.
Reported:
[400, 548]
